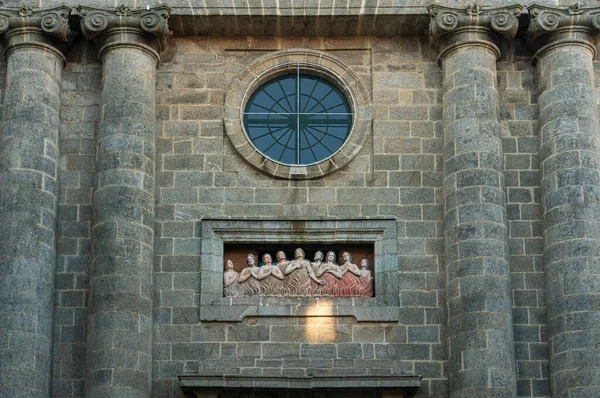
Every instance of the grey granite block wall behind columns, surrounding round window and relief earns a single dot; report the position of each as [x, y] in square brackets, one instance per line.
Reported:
[398, 173]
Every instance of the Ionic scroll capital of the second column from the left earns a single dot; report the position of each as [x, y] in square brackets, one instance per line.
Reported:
[146, 29]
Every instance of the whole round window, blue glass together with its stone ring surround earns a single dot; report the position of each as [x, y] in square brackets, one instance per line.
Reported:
[297, 114]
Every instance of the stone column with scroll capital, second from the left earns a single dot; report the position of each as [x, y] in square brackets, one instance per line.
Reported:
[119, 327]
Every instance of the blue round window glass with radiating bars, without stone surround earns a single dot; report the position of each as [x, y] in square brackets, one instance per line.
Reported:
[298, 118]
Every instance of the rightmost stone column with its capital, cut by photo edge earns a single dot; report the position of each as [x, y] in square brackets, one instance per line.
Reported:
[570, 188]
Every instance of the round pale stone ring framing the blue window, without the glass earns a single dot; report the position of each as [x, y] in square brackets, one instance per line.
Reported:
[268, 66]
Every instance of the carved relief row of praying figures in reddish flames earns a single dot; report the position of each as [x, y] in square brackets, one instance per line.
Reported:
[299, 277]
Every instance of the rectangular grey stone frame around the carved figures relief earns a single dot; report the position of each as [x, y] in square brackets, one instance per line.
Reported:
[383, 307]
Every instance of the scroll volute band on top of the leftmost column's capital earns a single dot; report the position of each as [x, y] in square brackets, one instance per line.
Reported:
[54, 21]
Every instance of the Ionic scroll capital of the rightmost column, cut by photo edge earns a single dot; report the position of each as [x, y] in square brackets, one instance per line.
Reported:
[552, 27]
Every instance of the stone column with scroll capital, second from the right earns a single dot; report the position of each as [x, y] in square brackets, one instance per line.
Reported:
[480, 336]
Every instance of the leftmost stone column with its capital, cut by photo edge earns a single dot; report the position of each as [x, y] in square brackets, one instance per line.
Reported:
[33, 43]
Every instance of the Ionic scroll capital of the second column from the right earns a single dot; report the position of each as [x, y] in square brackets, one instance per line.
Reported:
[454, 27]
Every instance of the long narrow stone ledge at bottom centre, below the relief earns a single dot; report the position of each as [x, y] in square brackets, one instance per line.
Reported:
[408, 384]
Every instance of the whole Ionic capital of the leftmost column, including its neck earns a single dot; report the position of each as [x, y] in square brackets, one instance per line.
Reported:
[26, 26]
